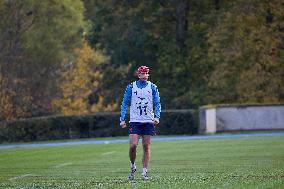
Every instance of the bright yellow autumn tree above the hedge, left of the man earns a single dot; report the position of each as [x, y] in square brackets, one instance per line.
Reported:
[79, 81]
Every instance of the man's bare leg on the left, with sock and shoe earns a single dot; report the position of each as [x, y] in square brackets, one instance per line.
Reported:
[133, 142]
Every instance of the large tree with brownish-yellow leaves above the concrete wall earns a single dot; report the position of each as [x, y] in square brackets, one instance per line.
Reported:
[246, 52]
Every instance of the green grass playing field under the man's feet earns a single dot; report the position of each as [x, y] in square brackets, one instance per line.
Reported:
[249, 162]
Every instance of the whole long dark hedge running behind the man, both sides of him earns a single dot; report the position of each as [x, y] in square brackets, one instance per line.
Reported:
[172, 122]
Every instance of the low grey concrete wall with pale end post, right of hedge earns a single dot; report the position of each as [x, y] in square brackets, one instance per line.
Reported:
[222, 118]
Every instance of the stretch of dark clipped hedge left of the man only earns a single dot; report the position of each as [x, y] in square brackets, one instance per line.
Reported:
[60, 127]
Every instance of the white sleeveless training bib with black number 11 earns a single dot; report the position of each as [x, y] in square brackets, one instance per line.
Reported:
[141, 108]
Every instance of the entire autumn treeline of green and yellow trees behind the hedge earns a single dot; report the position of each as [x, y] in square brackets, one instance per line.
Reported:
[76, 57]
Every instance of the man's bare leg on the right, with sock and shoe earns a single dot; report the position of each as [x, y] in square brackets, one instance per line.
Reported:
[146, 142]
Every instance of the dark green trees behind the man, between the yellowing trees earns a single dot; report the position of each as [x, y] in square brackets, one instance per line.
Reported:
[140, 33]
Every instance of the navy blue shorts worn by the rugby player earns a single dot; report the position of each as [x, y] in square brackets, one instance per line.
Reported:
[142, 128]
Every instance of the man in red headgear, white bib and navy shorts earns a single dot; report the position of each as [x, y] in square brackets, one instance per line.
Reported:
[145, 111]
